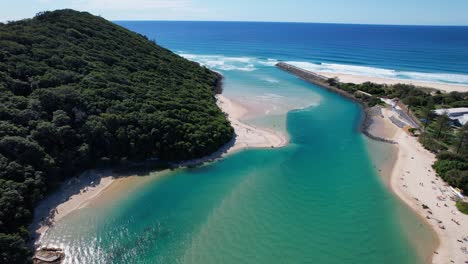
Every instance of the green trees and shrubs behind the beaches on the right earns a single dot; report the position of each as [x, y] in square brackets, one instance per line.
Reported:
[439, 134]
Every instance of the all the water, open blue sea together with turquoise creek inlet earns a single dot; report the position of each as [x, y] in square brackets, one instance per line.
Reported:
[319, 199]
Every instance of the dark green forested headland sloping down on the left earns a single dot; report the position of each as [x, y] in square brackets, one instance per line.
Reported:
[76, 89]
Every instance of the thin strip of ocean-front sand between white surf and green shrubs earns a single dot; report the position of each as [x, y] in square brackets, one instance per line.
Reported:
[349, 78]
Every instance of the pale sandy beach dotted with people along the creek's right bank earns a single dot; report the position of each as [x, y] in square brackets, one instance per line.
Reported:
[415, 182]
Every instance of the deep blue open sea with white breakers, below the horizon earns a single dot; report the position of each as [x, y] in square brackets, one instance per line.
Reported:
[426, 53]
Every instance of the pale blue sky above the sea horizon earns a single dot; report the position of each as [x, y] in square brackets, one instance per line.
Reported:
[420, 12]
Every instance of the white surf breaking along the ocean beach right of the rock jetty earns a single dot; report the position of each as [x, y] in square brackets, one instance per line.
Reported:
[382, 73]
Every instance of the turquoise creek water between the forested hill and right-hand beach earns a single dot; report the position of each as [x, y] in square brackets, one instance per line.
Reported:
[317, 200]
